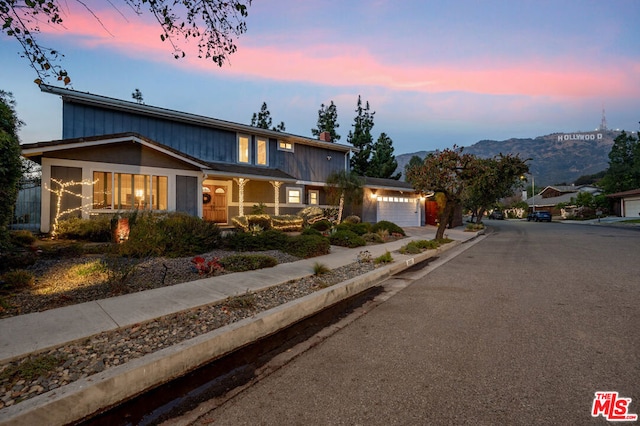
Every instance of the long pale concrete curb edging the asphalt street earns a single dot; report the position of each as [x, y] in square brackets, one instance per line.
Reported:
[92, 394]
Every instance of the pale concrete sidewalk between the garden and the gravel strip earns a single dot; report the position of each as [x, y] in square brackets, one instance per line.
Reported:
[24, 334]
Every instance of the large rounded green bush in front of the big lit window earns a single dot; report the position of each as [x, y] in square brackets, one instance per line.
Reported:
[171, 235]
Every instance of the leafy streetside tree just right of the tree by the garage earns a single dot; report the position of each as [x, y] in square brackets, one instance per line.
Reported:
[494, 178]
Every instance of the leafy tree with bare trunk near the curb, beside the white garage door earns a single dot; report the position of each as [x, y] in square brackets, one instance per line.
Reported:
[447, 172]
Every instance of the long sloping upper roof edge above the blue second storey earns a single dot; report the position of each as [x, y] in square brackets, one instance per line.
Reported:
[69, 95]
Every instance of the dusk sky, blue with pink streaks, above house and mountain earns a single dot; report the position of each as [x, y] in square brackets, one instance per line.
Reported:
[435, 73]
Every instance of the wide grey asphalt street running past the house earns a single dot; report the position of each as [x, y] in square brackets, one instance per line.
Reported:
[521, 328]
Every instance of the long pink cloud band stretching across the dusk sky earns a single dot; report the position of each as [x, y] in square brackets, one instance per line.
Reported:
[352, 65]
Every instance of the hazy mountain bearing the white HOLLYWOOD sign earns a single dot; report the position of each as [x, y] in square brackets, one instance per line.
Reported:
[555, 158]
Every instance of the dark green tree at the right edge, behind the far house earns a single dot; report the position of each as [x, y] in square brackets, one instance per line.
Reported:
[624, 165]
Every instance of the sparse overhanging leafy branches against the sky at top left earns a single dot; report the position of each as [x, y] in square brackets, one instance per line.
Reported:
[213, 23]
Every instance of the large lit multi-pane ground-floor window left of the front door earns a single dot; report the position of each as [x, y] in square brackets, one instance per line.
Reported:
[126, 191]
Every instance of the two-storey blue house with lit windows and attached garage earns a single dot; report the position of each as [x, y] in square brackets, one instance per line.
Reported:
[135, 156]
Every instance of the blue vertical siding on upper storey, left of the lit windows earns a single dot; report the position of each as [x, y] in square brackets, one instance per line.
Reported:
[201, 142]
